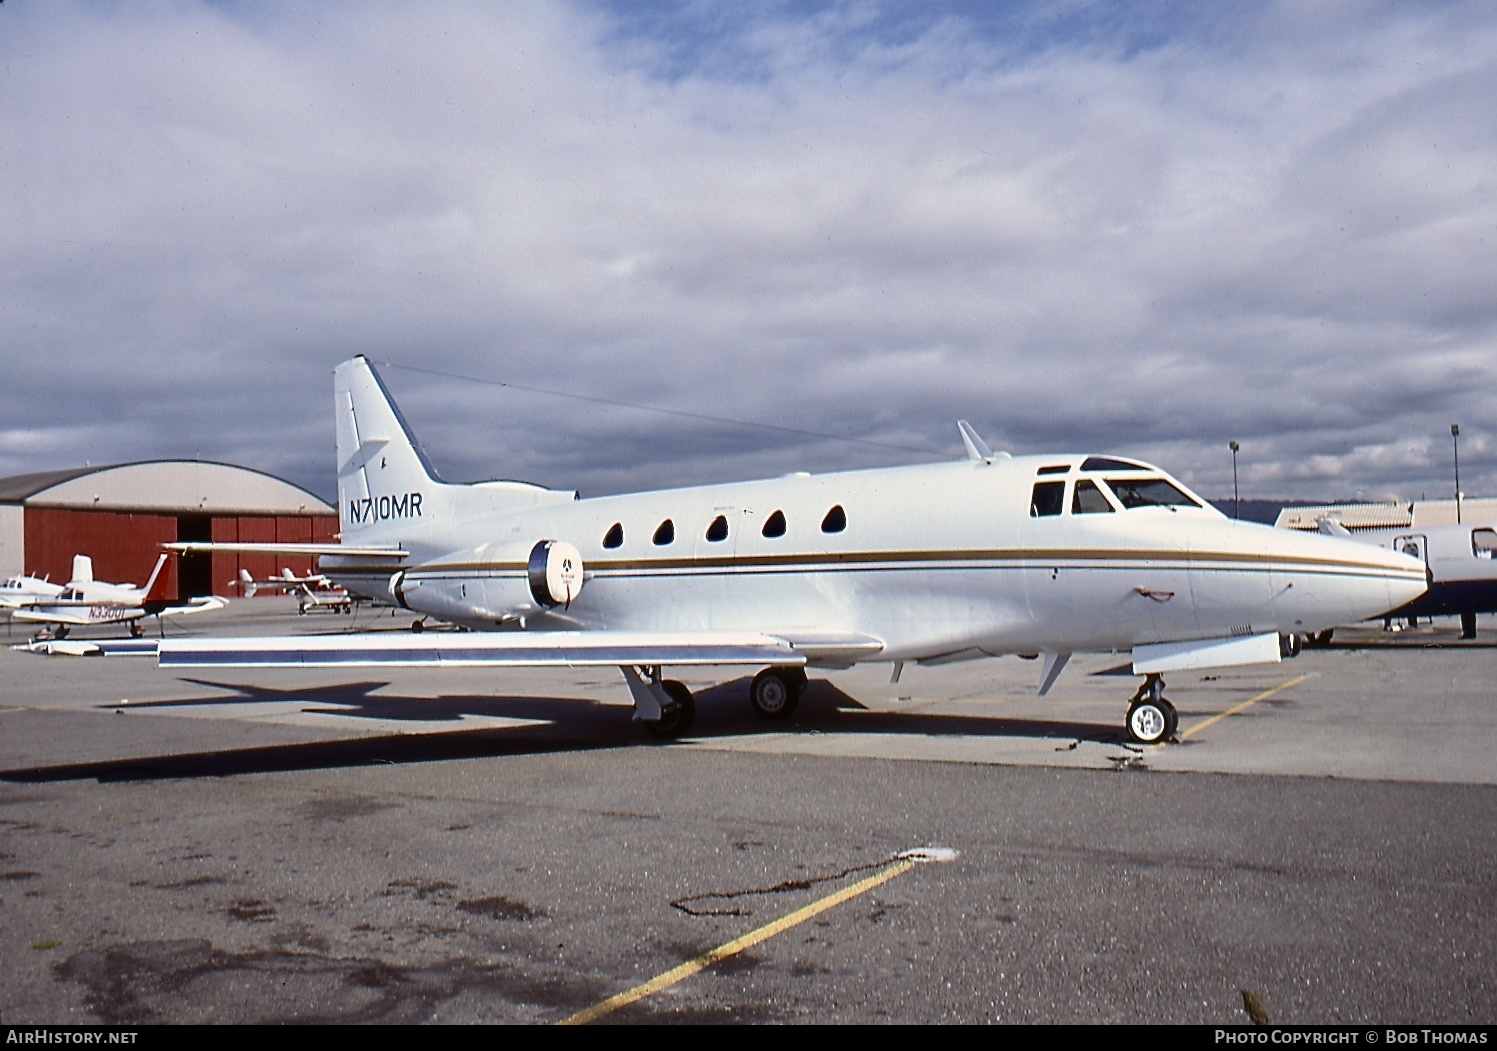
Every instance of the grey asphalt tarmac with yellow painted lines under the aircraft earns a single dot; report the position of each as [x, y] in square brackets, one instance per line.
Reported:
[474, 847]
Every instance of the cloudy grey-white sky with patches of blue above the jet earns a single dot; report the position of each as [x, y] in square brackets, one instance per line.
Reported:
[613, 246]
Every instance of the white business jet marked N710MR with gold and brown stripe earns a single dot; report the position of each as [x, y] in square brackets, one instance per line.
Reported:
[978, 558]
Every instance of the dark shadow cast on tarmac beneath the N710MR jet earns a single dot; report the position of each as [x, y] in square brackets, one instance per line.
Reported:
[556, 725]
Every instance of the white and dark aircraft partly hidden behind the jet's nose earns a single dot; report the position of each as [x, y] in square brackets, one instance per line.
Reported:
[1462, 565]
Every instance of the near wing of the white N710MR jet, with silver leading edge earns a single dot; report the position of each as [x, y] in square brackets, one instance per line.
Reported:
[481, 651]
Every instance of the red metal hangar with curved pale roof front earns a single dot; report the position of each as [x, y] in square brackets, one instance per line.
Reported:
[122, 514]
